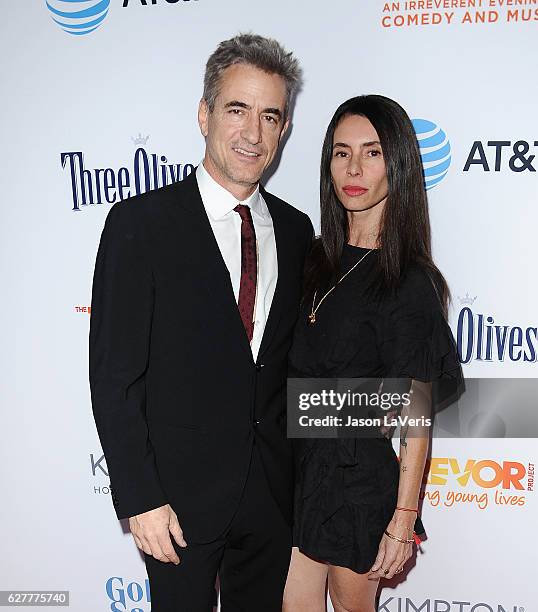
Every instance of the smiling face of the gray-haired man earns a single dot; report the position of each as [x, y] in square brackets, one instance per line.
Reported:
[245, 127]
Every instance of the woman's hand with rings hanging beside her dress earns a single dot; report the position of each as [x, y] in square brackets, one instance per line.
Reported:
[392, 554]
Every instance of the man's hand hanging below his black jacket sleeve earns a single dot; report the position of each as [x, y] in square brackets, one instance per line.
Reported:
[151, 531]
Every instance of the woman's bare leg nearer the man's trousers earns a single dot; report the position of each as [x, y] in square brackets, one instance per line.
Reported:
[306, 586]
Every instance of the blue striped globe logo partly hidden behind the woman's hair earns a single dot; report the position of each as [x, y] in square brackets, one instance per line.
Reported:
[434, 151]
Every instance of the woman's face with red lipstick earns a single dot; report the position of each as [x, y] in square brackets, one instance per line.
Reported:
[357, 165]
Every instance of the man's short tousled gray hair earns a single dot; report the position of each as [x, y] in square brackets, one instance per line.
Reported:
[267, 54]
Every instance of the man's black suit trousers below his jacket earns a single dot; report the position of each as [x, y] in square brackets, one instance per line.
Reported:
[251, 559]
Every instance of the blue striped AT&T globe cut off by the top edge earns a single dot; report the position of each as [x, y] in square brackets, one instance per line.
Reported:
[78, 17]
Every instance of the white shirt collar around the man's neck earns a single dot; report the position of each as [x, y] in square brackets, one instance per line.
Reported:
[218, 201]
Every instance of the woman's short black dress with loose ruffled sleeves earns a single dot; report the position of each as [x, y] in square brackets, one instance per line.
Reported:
[346, 488]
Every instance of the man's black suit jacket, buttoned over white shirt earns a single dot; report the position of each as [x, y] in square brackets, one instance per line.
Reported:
[176, 395]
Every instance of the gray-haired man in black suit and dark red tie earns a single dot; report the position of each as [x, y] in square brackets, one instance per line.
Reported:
[195, 294]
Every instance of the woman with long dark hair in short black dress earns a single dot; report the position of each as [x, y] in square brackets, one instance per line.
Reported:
[374, 305]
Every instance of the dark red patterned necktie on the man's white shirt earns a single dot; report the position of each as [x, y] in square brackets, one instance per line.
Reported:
[249, 269]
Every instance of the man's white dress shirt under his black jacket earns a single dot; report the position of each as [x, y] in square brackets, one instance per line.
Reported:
[219, 205]
